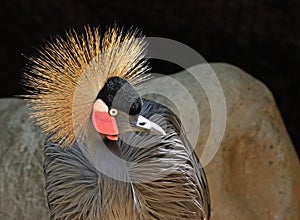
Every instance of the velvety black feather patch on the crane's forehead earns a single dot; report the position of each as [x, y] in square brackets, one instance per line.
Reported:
[118, 93]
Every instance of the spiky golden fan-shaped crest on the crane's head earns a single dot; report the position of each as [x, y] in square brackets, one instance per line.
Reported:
[65, 78]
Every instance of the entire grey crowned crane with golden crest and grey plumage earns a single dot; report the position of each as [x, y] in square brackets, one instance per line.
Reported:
[109, 153]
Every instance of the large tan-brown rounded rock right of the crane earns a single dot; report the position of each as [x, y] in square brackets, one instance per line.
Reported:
[255, 173]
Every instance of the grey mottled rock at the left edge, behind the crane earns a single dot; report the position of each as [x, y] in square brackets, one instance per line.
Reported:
[21, 155]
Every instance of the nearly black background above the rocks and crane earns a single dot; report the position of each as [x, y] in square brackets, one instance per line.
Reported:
[262, 37]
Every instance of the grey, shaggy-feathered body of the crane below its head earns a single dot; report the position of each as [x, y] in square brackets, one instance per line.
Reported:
[177, 194]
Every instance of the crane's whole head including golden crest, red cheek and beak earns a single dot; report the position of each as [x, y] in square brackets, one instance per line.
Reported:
[88, 76]
